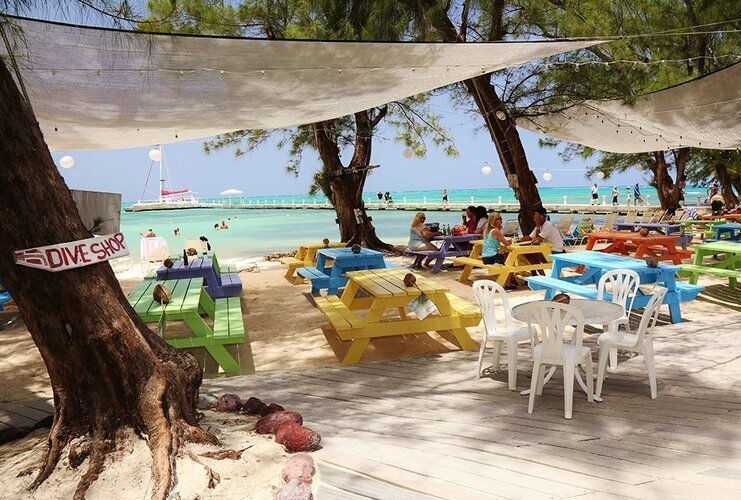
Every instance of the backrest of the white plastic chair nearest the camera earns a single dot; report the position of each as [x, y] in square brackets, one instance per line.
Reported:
[548, 320]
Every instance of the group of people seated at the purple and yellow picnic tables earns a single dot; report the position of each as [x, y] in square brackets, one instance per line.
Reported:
[477, 220]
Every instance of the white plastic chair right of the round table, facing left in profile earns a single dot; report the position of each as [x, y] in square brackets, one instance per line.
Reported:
[640, 342]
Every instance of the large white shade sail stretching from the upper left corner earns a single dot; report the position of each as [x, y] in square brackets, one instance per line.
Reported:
[97, 88]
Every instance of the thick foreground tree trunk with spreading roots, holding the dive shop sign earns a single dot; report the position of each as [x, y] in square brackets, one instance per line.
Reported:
[108, 371]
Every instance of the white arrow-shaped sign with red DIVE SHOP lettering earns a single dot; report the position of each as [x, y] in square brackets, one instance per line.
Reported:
[63, 256]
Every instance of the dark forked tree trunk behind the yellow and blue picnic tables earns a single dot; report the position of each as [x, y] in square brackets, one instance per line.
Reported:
[345, 185]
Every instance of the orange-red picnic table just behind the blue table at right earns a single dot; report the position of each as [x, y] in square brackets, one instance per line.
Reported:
[656, 246]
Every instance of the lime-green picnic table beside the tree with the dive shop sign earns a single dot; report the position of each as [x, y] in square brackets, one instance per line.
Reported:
[189, 300]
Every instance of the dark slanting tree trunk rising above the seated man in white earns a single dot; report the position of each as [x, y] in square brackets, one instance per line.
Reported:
[503, 132]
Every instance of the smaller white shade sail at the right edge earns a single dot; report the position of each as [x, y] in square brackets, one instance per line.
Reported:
[701, 113]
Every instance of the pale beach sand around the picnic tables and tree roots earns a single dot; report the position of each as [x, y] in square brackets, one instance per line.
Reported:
[287, 333]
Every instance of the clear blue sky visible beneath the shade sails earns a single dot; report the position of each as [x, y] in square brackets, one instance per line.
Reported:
[263, 172]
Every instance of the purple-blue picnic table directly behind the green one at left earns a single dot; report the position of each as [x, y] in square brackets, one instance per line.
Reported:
[221, 280]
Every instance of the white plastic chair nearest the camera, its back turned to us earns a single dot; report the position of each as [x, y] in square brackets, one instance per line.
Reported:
[547, 322]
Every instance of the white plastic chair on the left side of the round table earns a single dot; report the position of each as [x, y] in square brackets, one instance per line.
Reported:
[486, 292]
